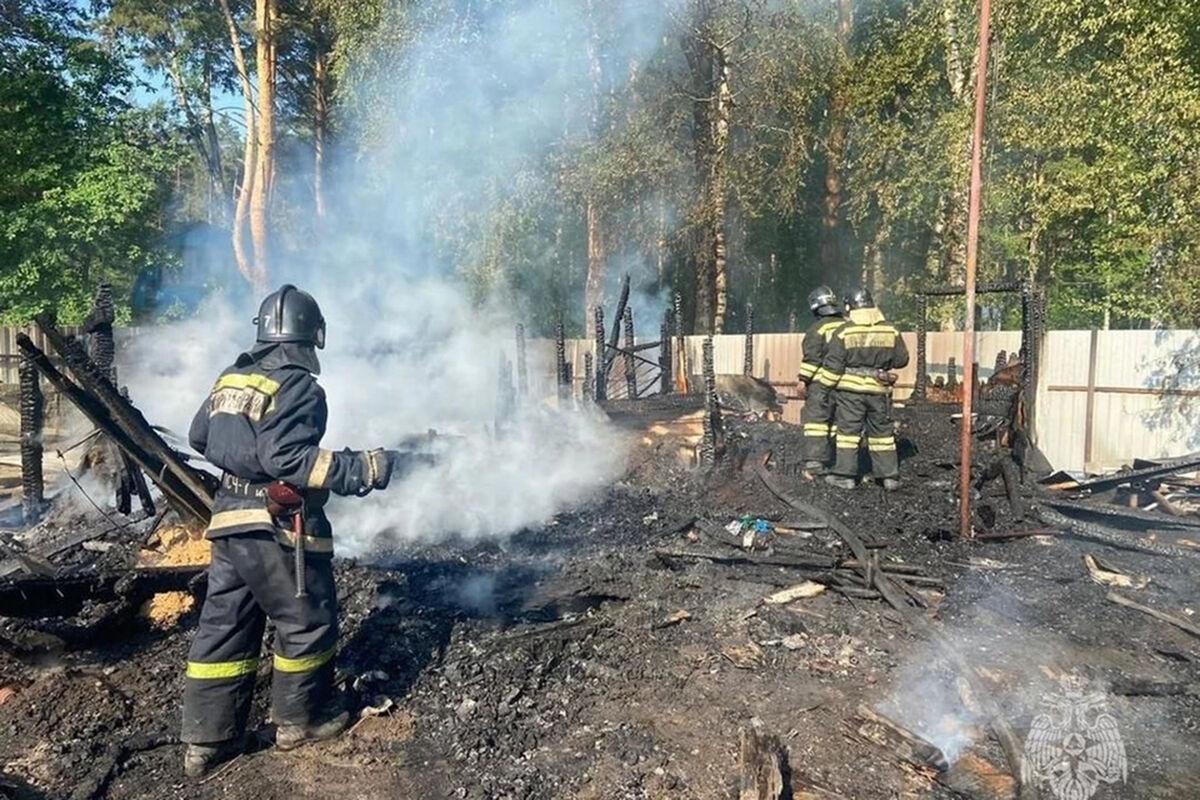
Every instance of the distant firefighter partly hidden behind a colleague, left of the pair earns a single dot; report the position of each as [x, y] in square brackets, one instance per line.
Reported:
[818, 383]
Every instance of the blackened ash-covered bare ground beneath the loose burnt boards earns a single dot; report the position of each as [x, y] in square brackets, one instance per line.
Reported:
[578, 661]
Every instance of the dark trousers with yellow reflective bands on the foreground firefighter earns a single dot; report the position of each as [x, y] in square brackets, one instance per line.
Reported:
[253, 579]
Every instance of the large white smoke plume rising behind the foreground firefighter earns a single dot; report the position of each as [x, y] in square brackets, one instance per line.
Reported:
[458, 124]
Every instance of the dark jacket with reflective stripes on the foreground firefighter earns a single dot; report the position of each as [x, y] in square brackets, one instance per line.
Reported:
[263, 423]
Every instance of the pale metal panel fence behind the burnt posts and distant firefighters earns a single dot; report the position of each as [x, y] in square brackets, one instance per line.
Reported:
[1105, 398]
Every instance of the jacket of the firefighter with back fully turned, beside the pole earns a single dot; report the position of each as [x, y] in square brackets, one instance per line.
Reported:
[863, 347]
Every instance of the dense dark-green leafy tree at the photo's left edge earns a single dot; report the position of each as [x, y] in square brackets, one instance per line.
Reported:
[83, 178]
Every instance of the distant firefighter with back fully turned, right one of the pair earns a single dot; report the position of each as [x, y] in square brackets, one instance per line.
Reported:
[863, 353]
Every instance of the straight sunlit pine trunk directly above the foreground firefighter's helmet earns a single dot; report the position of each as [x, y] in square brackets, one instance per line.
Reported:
[267, 16]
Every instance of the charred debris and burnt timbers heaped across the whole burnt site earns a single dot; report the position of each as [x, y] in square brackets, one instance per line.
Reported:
[723, 630]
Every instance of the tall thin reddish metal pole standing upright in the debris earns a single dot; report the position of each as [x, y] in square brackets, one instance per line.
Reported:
[969, 377]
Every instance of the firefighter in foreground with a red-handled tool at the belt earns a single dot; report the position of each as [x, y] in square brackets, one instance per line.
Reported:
[262, 425]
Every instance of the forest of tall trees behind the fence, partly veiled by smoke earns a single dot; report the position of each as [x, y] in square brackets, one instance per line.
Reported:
[733, 152]
